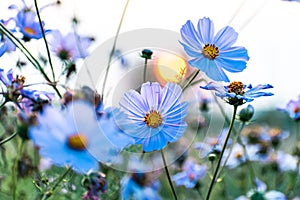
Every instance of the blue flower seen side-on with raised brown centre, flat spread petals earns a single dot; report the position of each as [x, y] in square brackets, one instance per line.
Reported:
[236, 93]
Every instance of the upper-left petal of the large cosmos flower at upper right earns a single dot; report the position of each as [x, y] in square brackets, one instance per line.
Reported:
[190, 36]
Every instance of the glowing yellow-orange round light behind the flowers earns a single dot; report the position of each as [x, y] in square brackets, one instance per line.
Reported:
[169, 67]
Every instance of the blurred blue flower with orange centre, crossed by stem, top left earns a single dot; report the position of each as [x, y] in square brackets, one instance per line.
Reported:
[28, 26]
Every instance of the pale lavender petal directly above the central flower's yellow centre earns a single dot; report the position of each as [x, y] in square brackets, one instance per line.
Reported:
[151, 93]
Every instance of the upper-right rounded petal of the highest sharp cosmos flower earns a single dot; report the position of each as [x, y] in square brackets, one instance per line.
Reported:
[225, 37]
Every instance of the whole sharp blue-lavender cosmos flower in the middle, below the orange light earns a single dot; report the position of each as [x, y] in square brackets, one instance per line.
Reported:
[155, 116]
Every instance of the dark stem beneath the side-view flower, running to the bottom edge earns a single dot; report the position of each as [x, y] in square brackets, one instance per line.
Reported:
[221, 154]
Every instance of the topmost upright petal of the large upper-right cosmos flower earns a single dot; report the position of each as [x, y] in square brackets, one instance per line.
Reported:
[206, 30]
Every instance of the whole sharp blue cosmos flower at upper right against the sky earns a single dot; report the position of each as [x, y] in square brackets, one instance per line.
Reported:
[213, 53]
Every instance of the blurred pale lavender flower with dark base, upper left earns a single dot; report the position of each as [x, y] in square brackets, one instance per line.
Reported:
[69, 47]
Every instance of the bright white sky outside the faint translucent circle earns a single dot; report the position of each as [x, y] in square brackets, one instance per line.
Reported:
[269, 29]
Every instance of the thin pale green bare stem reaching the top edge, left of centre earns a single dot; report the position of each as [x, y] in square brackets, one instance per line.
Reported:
[113, 49]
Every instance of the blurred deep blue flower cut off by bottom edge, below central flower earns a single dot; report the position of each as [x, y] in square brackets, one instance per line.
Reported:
[136, 187]
